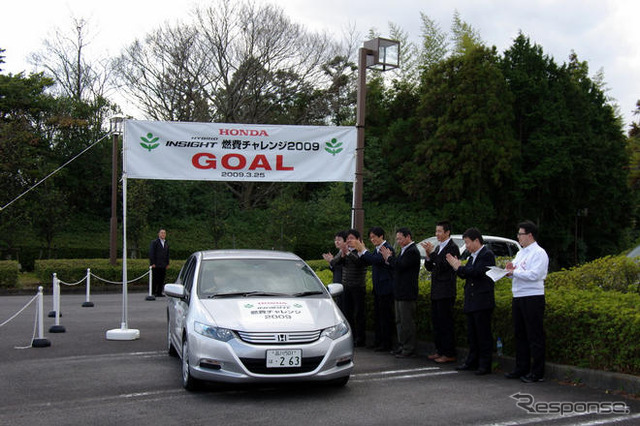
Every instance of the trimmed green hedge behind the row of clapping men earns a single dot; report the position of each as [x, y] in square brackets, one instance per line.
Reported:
[594, 328]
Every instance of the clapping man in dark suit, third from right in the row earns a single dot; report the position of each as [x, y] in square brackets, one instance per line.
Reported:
[443, 292]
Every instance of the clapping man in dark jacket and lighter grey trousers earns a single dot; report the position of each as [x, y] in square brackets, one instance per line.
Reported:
[406, 269]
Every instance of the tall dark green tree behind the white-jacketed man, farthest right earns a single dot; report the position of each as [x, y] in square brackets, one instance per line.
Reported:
[571, 179]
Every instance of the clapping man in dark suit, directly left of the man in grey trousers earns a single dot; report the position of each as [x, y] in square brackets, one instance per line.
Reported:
[382, 278]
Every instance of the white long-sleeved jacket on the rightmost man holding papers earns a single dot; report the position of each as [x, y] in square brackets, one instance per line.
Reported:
[531, 265]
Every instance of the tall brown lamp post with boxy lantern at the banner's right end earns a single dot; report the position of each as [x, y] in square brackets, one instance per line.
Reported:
[379, 54]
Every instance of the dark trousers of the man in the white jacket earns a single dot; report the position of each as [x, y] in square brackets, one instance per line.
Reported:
[528, 315]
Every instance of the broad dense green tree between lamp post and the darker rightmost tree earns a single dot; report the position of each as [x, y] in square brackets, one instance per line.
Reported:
[464, 163]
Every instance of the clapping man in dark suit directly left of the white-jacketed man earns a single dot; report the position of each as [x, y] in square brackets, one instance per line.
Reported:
[479, 301]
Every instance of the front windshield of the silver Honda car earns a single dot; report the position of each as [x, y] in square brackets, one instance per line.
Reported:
[257, 277]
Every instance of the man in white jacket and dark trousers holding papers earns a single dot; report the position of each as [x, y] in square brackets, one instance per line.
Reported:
[528, 271]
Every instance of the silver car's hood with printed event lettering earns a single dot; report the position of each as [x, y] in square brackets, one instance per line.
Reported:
[269, 313]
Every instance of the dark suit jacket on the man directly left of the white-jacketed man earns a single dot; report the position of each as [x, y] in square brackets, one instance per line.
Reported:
[478, 290]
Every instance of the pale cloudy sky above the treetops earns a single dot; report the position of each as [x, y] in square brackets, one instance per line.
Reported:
[600, 32]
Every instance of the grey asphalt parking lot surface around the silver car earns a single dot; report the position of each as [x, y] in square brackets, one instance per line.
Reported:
[83, 378]
